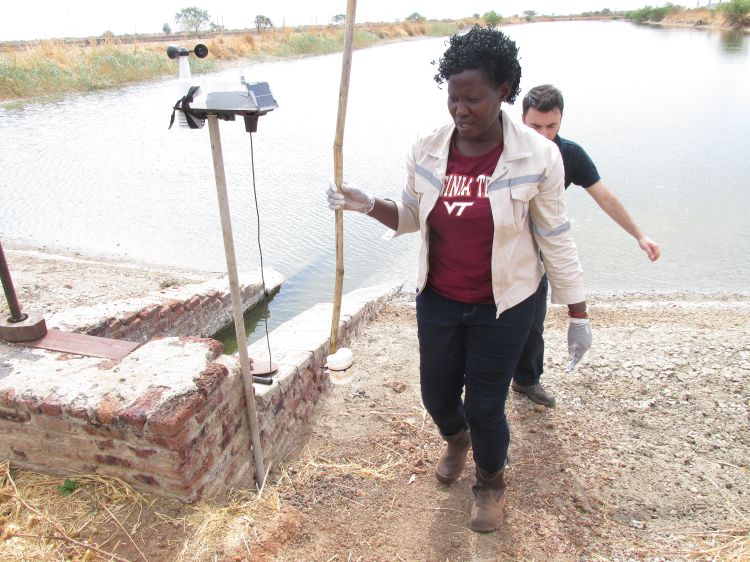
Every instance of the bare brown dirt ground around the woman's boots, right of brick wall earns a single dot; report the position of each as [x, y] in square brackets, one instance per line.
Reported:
[646, 456]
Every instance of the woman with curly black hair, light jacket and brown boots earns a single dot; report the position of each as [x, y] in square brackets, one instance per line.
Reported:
[486, 194]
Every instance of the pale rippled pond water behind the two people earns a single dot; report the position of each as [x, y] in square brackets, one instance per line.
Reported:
[664, 113]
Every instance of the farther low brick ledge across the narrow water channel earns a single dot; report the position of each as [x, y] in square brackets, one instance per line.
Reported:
[199, 309]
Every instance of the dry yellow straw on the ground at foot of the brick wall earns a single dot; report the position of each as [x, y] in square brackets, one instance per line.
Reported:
[37, 522]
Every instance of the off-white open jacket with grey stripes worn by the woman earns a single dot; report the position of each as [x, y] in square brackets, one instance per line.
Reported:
[527, 198]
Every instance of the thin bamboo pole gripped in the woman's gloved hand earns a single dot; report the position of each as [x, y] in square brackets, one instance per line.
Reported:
[338, 169]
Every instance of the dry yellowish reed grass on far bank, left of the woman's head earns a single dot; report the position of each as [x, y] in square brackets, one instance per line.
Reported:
[45, 68]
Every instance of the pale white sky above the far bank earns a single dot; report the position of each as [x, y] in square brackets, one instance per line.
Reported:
[77, 18]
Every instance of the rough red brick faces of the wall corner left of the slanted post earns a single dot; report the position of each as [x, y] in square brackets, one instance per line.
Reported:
[183, 446]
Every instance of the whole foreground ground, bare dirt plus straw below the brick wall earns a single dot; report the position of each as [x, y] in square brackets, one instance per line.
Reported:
[646, 457]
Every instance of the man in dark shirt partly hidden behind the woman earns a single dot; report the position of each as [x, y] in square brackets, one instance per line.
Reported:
[542, 111]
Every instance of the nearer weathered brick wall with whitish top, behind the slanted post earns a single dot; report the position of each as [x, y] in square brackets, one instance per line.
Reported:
[171, 417]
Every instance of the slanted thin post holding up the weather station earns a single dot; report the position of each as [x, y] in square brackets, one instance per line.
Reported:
[234, 286]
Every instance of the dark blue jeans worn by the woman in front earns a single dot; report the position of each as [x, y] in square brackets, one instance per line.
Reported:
[463, 347]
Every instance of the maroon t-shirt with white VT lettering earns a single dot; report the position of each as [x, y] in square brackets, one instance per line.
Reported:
[461, 230]
